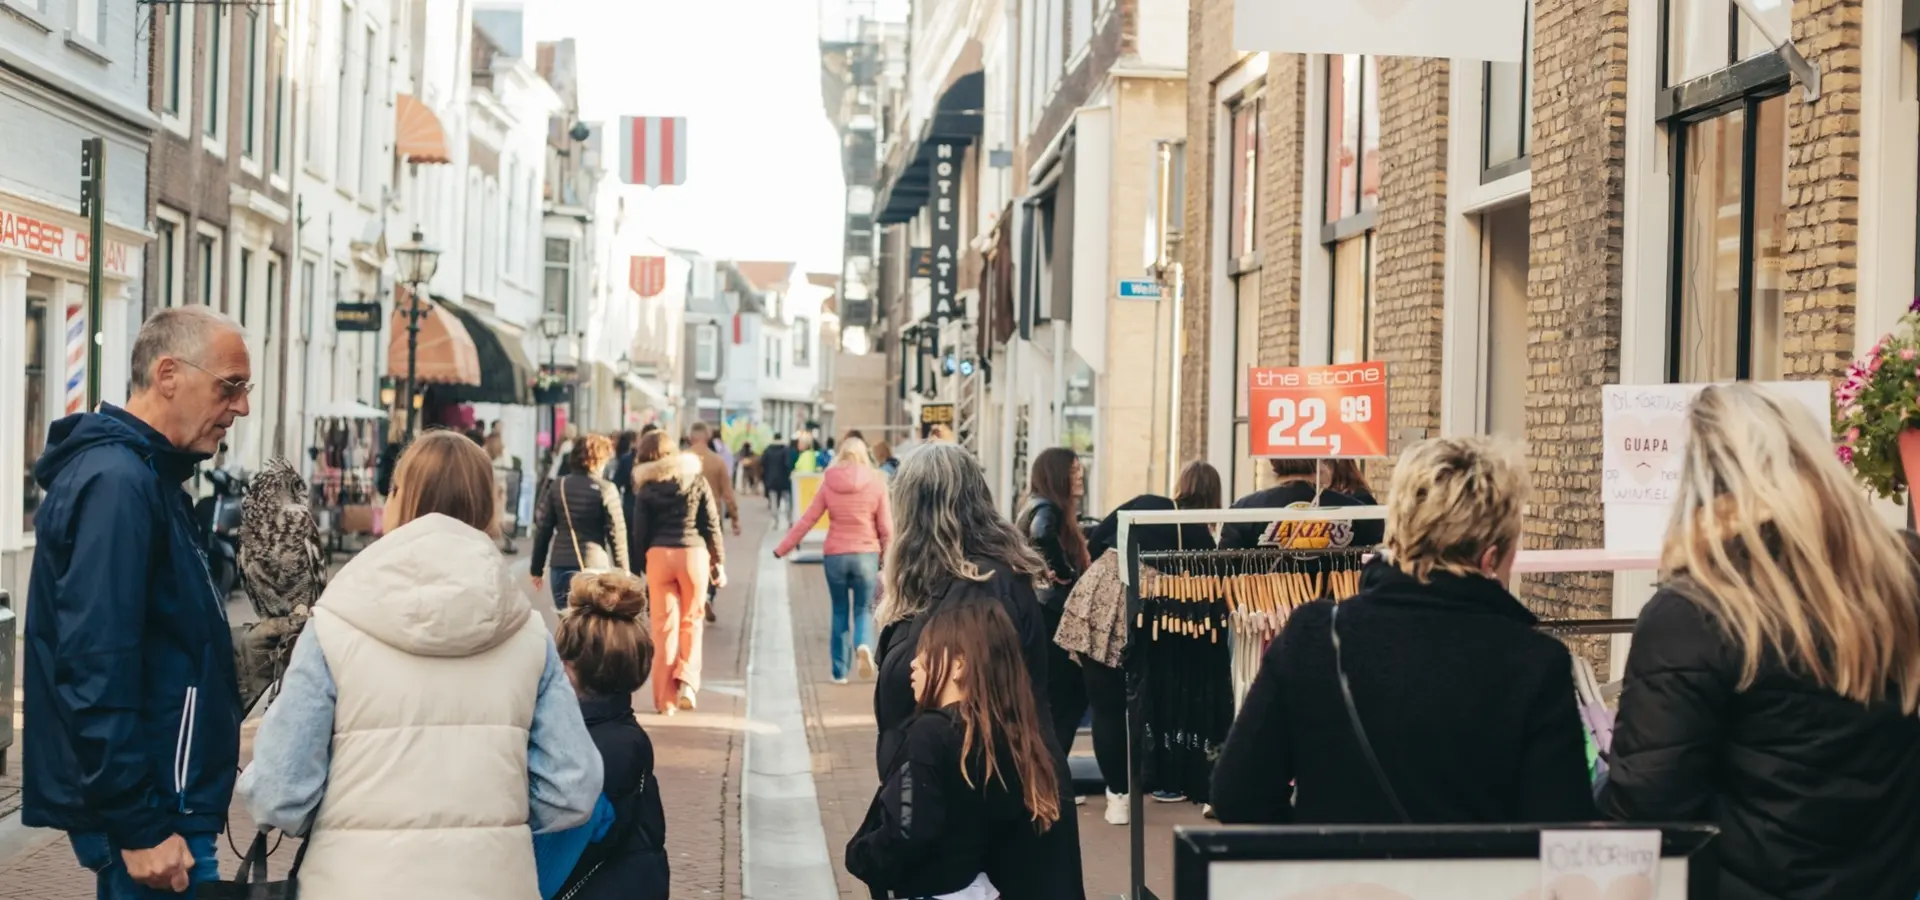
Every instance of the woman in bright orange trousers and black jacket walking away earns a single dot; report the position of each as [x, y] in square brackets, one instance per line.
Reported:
[679, 546]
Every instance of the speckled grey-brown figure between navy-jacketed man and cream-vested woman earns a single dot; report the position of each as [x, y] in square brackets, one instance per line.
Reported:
[283, 567]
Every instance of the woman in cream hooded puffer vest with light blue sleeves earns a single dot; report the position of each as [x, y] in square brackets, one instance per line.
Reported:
[425, 728]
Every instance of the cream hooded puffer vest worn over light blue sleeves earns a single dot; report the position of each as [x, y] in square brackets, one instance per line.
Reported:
[437, 657]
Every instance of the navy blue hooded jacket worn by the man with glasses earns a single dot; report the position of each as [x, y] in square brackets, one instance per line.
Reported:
[132, 701]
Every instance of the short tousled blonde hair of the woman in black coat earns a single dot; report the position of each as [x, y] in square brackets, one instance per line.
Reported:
[1451, 504]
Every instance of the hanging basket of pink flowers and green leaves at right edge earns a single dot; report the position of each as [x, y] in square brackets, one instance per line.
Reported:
[1877, 412]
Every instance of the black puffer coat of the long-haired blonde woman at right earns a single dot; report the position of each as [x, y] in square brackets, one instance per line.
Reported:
[1815, 795]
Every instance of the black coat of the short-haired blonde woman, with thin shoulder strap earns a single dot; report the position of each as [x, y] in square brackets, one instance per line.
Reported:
[1470, 709]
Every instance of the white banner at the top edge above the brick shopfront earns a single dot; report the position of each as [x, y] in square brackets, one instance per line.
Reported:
[1466, 30]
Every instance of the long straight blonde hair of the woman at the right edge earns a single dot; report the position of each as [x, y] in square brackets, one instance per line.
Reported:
[1775, 540]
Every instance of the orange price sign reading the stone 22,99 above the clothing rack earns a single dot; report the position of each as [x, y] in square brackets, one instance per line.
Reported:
[1318, 412]
